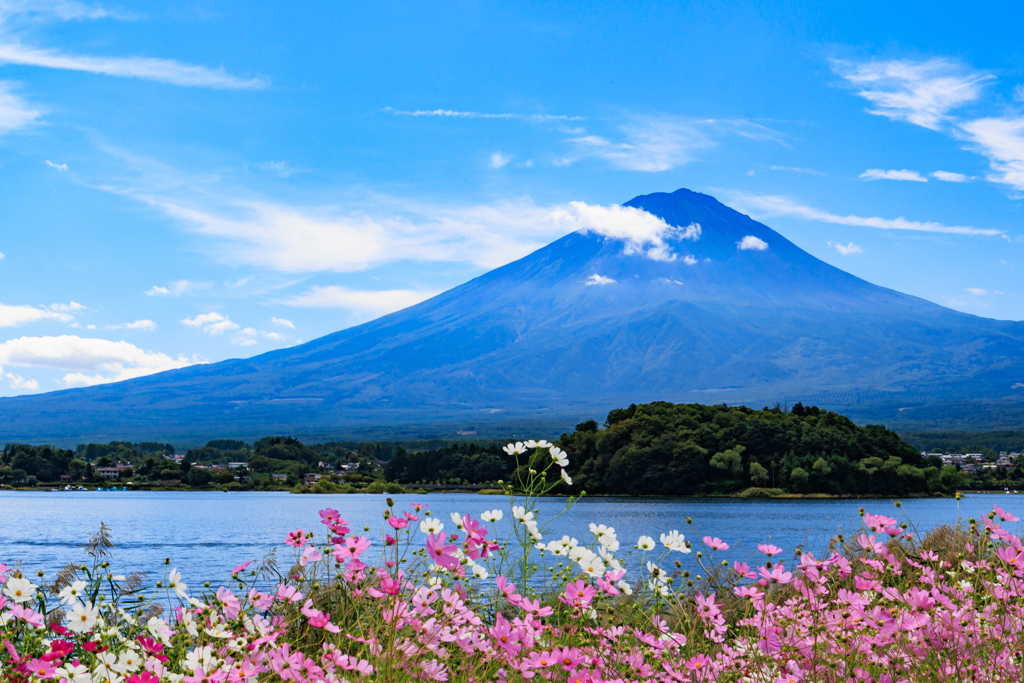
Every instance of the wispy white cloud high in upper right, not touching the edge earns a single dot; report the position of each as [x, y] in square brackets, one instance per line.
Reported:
[920, 93]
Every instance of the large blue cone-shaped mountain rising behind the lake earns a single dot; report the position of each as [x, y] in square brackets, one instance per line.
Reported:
[701, 305]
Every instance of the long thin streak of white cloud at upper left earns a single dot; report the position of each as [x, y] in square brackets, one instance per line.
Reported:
[151, 69]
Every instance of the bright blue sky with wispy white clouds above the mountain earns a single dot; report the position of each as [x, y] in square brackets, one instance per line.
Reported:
[189, 182]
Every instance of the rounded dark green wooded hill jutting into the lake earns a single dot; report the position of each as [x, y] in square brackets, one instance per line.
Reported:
[671, 450]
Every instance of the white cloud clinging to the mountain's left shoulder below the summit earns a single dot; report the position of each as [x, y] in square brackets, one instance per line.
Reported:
[645, 234]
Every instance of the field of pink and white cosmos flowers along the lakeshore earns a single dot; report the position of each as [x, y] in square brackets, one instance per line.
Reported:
[449, 602]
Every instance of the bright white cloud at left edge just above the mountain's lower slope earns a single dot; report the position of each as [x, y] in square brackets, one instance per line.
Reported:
[108, 361]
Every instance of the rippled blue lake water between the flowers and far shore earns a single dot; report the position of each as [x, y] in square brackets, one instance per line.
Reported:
[207, 534]
